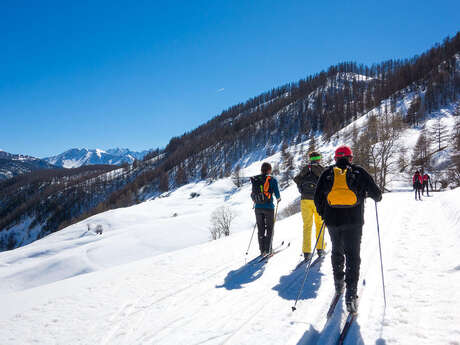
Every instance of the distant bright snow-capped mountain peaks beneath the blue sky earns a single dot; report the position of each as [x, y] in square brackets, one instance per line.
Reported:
[75, 157]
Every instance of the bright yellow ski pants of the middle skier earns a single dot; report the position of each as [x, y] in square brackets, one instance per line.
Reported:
[308, 211]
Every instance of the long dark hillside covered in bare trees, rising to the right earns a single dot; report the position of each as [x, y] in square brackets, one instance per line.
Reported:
[404, 91]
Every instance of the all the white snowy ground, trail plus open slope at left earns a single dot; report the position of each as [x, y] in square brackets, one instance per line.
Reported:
[206, 294]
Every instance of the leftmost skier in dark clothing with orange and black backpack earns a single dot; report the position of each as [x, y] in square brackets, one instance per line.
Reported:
[263, 188]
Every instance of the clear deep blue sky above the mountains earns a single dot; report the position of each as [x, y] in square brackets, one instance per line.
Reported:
[135, 73]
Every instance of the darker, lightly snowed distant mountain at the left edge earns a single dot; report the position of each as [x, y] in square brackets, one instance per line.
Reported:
[15, 164]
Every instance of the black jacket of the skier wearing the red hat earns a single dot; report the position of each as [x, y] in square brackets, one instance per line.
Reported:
[363, 185]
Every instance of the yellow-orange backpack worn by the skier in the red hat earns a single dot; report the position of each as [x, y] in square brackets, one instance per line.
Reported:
[341, 196]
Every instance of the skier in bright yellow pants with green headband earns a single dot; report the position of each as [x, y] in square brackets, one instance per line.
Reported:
[306, 183]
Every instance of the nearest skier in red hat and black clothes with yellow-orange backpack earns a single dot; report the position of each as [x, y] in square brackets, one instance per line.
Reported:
[339, 199]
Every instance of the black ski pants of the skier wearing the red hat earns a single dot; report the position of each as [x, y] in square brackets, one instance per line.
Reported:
[346, 246]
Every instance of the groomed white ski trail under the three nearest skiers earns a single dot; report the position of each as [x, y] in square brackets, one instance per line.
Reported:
[206, 294]
